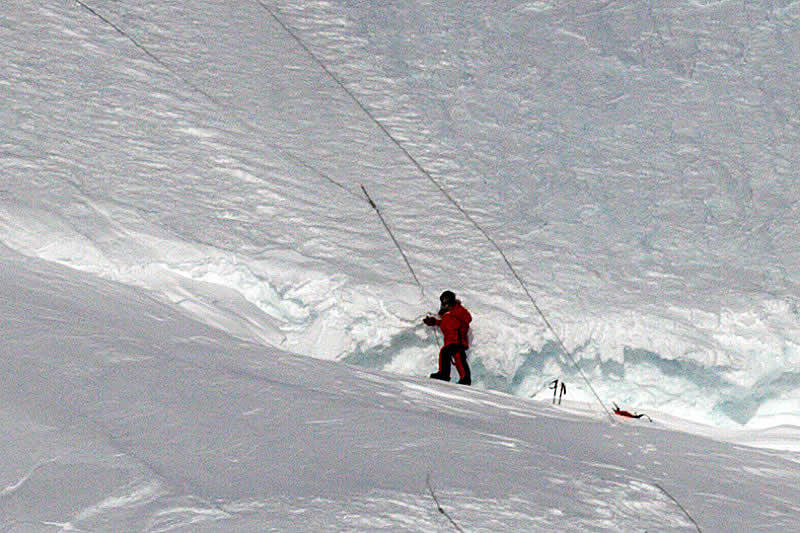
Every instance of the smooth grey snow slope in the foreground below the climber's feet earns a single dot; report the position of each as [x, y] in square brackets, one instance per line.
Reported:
[121, 413]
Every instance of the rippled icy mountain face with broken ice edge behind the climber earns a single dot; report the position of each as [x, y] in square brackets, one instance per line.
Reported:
[635, 161]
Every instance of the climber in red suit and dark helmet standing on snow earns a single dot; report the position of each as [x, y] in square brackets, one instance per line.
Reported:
[454, 322]
